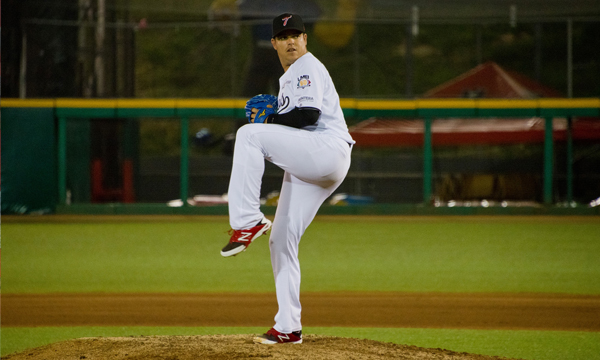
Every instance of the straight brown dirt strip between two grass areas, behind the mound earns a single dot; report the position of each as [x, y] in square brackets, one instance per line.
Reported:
[417, 310]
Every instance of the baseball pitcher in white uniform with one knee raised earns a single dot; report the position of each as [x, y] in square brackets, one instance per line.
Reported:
[303, 131]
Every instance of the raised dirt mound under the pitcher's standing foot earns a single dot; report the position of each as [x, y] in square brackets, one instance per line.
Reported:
[232, 347]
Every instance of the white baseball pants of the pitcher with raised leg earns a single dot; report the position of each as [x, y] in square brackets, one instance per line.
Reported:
[315, 164]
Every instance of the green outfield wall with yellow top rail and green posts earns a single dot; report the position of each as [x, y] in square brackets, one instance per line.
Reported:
[35, 141]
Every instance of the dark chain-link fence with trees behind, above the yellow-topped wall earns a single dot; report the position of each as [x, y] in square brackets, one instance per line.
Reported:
[371, 48]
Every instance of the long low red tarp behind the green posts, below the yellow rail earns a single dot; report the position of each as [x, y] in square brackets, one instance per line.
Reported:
[389, 133]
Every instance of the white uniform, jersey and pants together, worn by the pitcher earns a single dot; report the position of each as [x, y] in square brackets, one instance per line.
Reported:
[315, 159]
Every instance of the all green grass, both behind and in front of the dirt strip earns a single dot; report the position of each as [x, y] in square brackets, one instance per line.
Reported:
[428, 254]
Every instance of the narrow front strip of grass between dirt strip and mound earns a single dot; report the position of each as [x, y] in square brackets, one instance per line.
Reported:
[533, 345]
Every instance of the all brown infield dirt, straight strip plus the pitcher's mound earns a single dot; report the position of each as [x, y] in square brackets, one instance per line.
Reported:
[418, 310]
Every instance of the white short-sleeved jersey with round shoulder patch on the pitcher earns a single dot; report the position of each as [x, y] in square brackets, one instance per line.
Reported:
[307, 84]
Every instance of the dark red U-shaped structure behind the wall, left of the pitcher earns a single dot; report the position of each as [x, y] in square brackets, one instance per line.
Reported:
[123, 194]
